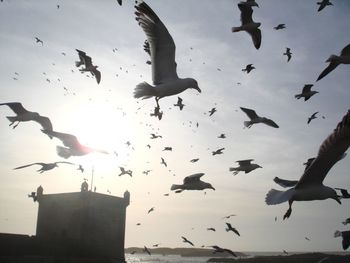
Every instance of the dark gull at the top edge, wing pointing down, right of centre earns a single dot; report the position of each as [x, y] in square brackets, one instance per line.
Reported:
[248, 25]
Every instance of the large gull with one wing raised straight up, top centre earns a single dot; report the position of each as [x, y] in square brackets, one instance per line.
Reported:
[162, 49]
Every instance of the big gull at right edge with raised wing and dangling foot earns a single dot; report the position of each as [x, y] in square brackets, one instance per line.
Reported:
[310, 185]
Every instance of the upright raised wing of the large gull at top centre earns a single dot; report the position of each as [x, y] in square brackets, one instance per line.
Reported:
[162, 46]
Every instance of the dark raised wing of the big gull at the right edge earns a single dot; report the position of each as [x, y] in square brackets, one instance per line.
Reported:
[330, 152]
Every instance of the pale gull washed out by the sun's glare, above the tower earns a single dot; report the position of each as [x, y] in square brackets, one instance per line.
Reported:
[73, 146]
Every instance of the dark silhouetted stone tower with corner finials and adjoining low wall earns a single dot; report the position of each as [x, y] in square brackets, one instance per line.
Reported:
[71, 227]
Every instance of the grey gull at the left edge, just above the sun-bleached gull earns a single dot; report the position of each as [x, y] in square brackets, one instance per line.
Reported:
[24, 115]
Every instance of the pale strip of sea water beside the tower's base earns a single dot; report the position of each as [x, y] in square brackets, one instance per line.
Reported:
[157, 258]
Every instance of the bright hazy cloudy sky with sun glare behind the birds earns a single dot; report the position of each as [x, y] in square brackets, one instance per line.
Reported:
[107, 116]
